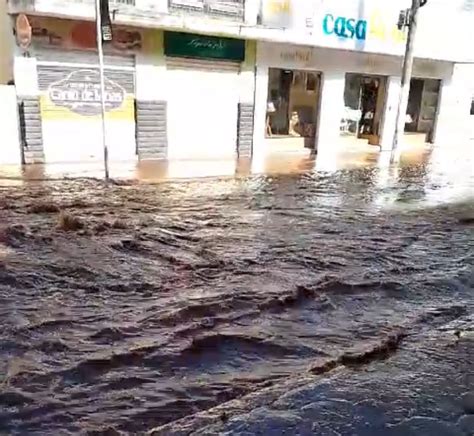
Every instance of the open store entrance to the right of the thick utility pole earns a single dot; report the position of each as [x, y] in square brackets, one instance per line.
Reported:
[421, 111]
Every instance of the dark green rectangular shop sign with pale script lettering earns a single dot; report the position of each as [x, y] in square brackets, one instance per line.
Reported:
[189, 45]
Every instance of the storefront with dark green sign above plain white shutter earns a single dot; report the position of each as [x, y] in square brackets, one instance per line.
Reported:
[208, 116]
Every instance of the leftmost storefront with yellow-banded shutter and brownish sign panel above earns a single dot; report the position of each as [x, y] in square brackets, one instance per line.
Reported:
[65, 124]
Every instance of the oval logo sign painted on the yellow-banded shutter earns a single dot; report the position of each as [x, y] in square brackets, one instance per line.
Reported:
[80, 93]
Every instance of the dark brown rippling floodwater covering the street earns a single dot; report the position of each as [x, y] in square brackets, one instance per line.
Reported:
[340, 296]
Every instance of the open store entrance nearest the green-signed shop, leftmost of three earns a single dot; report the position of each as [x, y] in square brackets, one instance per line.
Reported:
[292, 107]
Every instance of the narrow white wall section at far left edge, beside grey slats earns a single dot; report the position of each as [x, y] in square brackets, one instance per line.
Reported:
[10, 144]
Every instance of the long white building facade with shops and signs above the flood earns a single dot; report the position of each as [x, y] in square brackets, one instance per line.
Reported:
[218, 79]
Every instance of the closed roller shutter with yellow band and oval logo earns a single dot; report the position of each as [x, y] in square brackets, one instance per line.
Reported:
[70, 105]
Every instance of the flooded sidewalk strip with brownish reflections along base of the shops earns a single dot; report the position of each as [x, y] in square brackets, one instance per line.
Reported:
[159, 171]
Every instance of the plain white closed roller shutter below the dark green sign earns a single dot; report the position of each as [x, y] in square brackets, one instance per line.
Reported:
[202, 109]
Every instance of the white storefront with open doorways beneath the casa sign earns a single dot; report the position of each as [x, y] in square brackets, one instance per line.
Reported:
[355, 95]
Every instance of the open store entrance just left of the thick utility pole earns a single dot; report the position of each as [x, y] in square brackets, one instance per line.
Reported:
[364, 102]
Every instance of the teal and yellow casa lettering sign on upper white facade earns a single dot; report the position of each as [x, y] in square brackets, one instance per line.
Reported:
[346, 27]
